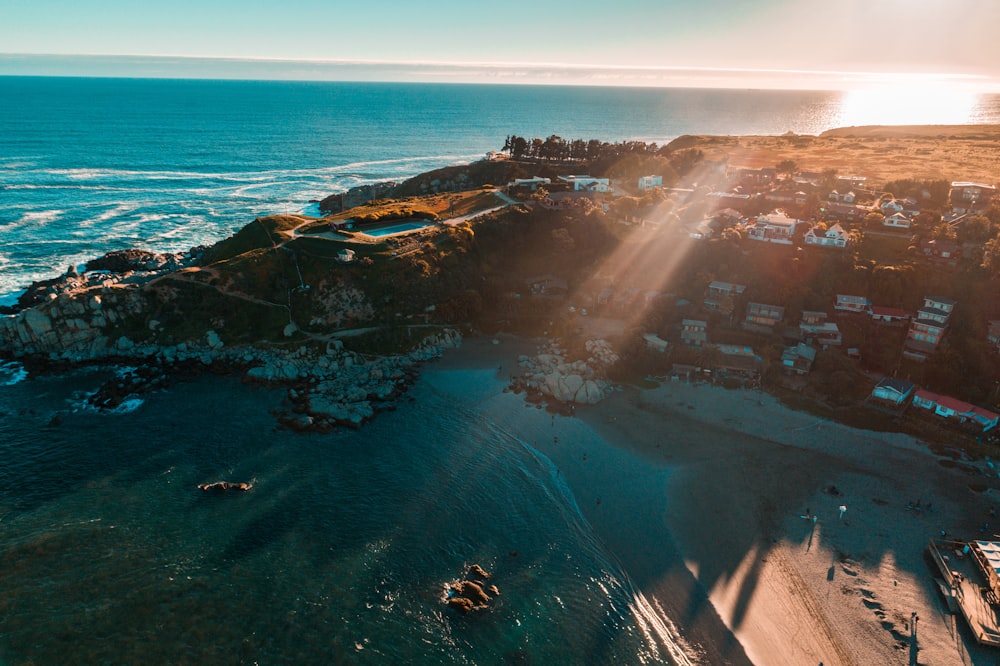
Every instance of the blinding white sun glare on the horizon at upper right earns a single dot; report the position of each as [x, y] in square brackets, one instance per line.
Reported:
[916, 103]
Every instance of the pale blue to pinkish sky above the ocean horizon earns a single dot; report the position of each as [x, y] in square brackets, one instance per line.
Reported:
[747, 43]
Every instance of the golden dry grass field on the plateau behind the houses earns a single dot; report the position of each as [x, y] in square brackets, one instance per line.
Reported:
[880, 153]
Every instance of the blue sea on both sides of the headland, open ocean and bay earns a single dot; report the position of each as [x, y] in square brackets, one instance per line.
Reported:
[339, 554]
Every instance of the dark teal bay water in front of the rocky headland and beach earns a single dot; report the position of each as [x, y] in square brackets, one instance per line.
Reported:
[338, 554]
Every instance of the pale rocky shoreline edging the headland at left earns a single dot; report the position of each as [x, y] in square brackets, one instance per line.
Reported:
[62, 323]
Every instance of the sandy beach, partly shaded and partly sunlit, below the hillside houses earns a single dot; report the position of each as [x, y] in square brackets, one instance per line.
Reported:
[703, 491]
